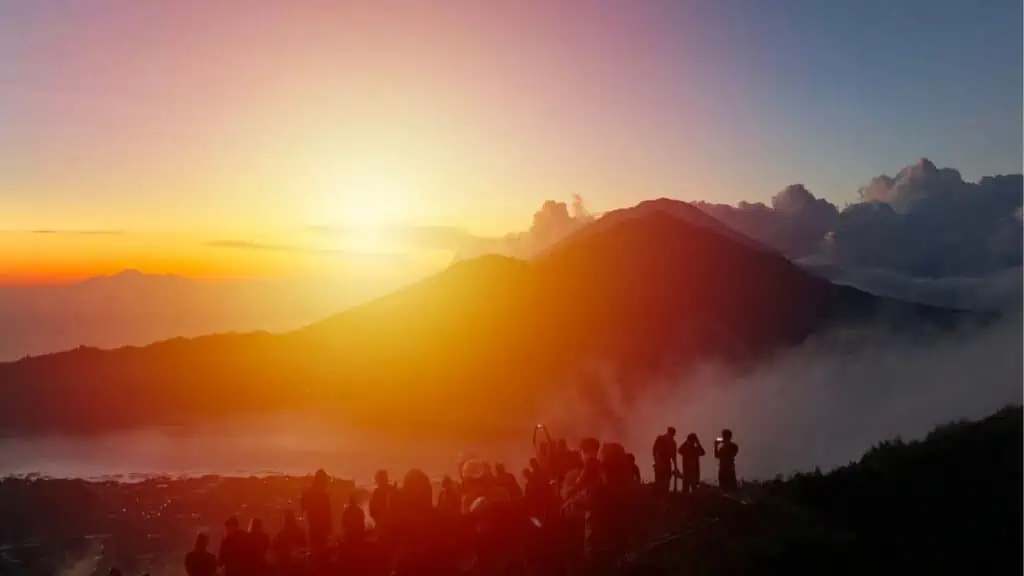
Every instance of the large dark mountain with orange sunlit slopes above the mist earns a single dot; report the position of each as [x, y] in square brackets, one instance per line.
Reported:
[475, 350]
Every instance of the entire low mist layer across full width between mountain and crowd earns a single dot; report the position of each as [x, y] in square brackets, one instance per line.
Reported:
[820, 405]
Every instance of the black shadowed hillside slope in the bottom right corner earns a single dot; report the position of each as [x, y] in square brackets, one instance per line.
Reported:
[951, 504]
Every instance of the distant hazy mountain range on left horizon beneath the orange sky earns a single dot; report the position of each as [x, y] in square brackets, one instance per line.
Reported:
[135, 309]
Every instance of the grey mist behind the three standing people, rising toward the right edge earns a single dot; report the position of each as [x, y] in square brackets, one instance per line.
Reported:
[821, 404]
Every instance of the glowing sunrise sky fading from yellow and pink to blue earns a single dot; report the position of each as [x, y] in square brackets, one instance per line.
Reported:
[176, 137]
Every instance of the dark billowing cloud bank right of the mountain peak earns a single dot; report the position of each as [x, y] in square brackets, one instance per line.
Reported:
[926, 222]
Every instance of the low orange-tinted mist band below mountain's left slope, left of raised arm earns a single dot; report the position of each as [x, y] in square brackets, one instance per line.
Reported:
[263, 445]
